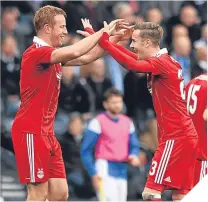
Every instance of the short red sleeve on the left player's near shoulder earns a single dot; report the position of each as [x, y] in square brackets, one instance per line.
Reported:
[43, 54]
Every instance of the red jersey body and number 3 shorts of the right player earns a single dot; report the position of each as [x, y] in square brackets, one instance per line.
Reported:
[173, 163]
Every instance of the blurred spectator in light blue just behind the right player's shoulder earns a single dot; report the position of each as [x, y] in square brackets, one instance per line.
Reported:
[182, 54]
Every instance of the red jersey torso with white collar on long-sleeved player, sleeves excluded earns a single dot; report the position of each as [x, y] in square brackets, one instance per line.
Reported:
[168, 94]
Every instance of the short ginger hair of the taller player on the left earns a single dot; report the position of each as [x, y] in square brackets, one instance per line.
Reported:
[45, 15]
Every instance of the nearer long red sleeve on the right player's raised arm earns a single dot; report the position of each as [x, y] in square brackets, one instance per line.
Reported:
[125, 60]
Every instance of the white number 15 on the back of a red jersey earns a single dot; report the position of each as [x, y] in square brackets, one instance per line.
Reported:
[192, 95]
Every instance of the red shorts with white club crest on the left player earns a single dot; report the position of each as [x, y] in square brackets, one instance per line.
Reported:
[38, 157]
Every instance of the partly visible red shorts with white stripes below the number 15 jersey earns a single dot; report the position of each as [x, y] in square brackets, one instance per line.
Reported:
[201, 169]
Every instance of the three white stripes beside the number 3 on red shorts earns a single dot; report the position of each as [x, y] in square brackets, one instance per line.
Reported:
[164, 161]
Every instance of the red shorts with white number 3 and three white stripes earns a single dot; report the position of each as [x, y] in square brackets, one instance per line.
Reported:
[173, 166]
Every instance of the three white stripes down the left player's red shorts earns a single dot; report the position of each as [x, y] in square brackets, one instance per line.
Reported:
[30, 150]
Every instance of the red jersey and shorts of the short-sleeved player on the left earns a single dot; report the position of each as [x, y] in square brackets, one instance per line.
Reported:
[38, 153]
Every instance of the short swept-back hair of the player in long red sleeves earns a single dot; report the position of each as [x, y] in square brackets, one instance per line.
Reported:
[150, 30]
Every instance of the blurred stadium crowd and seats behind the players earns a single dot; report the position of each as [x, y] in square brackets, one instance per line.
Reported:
[185, 37]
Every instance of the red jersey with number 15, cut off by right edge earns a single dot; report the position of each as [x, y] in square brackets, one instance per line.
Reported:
[196, 95]
